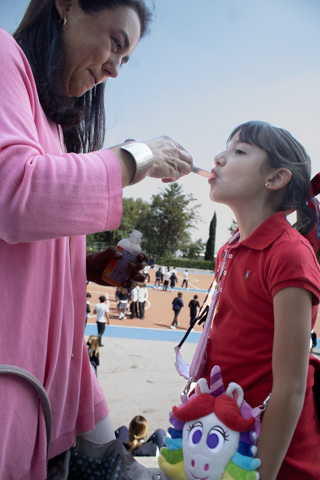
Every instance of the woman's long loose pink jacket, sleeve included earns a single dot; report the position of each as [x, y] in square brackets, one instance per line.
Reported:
[46, 196]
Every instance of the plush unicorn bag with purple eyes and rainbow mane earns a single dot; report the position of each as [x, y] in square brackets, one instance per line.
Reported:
[213, 435]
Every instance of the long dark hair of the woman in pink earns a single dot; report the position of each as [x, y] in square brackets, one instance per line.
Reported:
[39, 35]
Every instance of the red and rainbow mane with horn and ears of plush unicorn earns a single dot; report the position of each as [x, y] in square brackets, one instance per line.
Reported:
[243, 463]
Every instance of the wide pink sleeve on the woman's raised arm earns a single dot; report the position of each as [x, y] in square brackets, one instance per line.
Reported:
[45, 193]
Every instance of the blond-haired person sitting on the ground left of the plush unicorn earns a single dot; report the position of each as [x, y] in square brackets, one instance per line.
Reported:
[135, 438]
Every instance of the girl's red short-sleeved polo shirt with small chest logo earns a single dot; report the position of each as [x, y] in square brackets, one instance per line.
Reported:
[273, 257]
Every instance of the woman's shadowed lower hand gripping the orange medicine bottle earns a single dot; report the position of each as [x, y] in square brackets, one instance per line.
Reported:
[97, 261]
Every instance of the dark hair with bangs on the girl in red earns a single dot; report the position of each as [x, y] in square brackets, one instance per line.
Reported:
[283, 151]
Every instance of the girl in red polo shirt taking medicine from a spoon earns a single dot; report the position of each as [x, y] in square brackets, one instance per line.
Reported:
[270, 294]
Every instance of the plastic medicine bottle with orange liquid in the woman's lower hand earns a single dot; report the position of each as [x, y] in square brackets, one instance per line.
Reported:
[118, 270]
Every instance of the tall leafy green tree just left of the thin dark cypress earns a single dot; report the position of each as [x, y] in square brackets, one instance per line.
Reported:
[168, 221]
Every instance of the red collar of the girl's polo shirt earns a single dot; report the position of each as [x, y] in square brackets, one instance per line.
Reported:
[267, 232]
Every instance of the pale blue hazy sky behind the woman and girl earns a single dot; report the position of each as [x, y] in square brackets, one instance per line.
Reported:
[206, 67]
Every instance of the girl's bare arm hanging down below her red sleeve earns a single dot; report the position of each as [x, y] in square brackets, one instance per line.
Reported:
[290, 358]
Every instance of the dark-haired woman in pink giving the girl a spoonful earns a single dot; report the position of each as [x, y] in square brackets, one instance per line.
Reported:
[56, 186]
